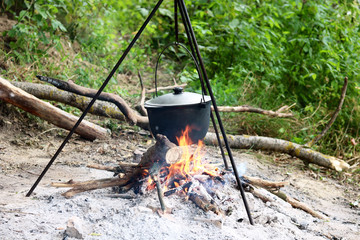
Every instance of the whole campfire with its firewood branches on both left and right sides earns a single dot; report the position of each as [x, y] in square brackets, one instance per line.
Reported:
[183, 170]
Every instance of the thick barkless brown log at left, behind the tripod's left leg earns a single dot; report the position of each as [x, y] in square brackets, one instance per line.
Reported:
[48, 112]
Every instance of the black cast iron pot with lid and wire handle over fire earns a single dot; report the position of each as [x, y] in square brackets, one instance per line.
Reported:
[171, 113]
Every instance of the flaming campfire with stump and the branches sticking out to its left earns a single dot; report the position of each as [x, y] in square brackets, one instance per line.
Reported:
[172, 169]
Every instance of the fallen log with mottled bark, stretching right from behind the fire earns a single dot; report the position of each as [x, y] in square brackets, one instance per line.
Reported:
[278, 145]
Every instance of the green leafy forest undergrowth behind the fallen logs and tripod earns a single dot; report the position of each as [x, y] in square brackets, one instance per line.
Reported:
[261, 53]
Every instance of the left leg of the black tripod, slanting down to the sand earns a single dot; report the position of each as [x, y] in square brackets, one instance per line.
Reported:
[95, 97]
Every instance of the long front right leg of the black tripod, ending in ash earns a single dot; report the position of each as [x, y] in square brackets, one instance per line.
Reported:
[187, 22]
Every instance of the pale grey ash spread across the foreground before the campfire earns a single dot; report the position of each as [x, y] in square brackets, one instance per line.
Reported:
[47, 216]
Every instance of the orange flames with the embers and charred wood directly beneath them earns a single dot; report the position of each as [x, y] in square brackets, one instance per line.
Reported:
[191, 176]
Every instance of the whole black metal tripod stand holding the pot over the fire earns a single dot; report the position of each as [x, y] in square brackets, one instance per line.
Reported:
[205, 83]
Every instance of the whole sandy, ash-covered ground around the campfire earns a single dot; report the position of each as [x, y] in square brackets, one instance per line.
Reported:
[27, 146]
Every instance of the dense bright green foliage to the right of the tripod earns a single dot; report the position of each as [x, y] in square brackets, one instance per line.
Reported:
[269, 53]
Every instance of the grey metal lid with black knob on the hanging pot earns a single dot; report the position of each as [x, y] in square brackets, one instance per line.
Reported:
[177, 98]
